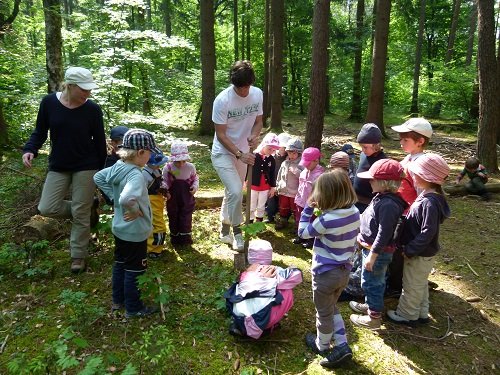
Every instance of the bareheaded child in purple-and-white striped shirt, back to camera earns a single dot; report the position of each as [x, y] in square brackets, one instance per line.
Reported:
[334, 231]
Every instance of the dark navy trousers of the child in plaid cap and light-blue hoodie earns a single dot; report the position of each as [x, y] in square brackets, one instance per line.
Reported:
[130, 262]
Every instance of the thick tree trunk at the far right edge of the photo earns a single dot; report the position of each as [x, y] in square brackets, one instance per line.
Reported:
[488, 86]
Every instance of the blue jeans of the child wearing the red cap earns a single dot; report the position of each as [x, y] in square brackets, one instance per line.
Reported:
[373, 282]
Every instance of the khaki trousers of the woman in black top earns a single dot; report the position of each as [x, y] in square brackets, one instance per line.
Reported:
[52, 204]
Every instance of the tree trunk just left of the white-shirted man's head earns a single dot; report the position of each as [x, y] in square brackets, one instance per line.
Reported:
[208, 65]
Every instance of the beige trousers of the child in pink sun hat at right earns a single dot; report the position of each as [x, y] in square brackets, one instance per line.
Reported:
[414, 301]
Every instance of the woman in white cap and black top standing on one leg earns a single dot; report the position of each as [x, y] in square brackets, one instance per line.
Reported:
[78, 150]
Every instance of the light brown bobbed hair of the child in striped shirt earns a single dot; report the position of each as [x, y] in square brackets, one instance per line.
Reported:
[333, 190]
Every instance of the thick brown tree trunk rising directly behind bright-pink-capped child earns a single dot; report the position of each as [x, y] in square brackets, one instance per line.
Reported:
[317, 86]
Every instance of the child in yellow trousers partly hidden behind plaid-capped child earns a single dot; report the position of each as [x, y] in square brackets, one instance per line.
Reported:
[153, 175]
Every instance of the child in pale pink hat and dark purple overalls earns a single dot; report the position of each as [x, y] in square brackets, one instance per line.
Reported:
[181, 183]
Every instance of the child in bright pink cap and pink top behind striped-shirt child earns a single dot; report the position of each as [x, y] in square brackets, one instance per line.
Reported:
[312, 170]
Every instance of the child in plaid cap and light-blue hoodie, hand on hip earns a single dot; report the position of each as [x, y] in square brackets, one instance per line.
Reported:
[132, 221]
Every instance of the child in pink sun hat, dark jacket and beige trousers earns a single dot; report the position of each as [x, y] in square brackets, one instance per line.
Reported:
[419, 239]
